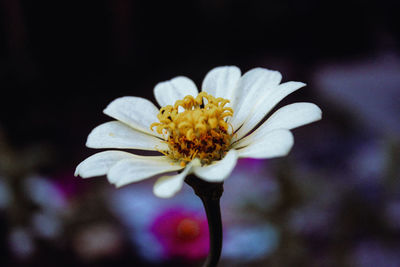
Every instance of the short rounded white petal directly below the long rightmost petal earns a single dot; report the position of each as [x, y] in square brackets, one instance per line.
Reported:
[276, 143]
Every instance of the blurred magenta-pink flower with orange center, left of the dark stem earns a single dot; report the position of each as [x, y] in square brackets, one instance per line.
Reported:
[182, 233]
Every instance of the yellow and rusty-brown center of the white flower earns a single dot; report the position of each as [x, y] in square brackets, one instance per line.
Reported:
[196, 128]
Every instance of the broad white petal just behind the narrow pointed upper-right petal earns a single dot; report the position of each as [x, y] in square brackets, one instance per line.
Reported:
[252, 86]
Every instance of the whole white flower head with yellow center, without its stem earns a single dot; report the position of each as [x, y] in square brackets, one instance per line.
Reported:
[201, 133]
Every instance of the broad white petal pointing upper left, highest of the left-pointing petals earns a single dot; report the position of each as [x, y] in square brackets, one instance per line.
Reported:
[137, 112]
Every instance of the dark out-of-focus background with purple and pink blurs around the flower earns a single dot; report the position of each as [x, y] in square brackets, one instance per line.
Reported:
[334, 201]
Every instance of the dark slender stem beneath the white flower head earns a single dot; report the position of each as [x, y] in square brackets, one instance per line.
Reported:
[210, 194]
